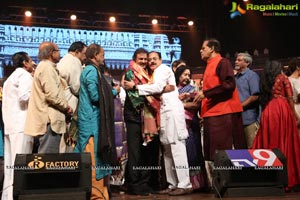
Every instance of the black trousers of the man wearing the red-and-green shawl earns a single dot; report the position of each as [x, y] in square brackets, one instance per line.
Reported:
[141, 159]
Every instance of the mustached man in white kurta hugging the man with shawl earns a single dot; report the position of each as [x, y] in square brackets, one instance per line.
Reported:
[173, 130]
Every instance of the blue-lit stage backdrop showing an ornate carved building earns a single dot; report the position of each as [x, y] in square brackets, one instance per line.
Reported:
[118, 46]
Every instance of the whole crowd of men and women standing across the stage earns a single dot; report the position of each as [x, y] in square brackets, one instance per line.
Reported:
[174, 125]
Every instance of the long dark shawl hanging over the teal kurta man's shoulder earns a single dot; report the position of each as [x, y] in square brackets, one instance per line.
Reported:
[106, 142]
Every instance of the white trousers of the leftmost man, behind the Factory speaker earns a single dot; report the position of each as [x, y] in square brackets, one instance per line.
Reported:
[14, 143]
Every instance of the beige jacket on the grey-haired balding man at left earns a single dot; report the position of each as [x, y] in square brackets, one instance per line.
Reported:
[47, 102]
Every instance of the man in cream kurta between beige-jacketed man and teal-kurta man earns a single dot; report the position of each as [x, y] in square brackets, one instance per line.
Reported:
[70, 68]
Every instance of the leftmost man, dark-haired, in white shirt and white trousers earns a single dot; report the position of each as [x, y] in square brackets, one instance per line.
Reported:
[16, 92]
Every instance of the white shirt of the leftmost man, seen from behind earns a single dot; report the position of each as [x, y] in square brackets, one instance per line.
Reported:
[16, 92]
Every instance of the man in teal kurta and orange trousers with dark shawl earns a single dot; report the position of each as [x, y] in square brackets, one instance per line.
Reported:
[90, 133]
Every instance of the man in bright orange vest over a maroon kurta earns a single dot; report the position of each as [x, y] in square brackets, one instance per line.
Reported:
[221, 108]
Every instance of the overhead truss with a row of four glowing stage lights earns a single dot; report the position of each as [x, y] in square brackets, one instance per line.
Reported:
[39, 16]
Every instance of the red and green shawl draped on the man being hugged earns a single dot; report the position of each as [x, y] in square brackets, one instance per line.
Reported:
[147, 106]
